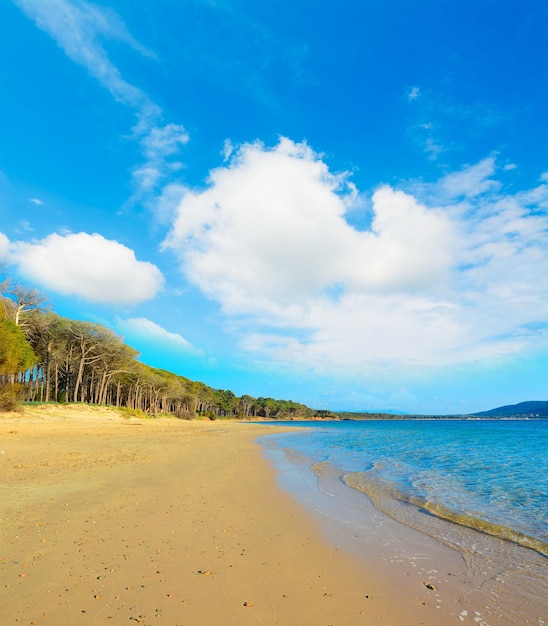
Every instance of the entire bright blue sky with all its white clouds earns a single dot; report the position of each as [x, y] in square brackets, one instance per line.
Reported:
[343, 204]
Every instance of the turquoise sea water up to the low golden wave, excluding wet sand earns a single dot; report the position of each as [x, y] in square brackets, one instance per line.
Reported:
[488, 474]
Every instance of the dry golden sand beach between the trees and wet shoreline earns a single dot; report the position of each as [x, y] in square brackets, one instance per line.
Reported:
[109, 520]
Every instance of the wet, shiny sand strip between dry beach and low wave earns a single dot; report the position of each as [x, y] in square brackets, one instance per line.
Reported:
[479, 578]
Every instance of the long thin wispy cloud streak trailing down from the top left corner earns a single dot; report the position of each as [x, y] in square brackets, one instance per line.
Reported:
[81, 30]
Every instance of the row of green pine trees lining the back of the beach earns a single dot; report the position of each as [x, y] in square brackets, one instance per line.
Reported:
[56, 359]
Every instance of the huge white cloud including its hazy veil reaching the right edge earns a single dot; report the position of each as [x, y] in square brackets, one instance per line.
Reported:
[448, 273]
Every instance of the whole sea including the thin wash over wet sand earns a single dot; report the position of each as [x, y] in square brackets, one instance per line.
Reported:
[478, 486]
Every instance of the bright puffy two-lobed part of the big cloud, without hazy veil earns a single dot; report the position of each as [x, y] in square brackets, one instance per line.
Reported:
[271, 231]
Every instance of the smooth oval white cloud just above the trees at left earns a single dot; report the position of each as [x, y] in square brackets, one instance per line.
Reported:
[89, 266]
